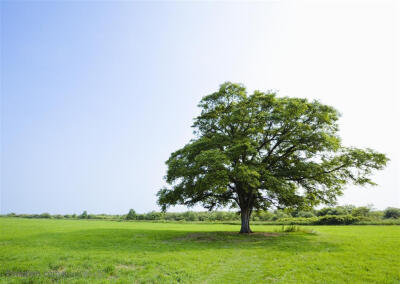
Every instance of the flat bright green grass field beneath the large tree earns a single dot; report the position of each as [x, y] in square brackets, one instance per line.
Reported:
[83, 251]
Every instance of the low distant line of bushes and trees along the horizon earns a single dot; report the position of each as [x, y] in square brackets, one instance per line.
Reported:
[341, 215]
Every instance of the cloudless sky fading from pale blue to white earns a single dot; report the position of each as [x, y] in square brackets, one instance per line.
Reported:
[96, 95]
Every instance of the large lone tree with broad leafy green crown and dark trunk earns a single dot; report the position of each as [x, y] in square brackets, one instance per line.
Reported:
[259, 151]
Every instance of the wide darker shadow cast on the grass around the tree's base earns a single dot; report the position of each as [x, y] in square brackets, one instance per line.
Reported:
[155, 241]
